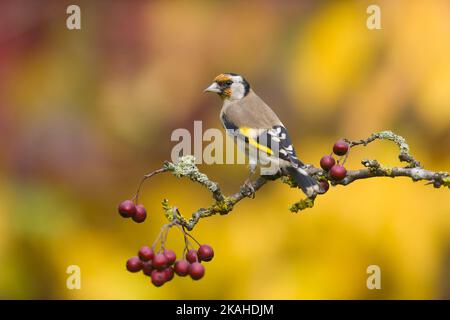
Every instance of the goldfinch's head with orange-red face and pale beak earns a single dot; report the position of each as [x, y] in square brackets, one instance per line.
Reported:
[229, 86]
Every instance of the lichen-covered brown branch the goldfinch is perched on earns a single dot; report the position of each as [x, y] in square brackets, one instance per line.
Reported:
[185, 167]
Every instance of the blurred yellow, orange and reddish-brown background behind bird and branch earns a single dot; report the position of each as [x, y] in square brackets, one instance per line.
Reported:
[85, 113]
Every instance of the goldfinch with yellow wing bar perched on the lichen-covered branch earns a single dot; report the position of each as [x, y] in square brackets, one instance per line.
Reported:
[246, 116]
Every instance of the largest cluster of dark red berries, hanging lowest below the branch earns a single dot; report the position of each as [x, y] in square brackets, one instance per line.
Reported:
[162, 266]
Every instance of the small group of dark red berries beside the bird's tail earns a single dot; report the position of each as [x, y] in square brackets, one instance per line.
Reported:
[328, 163]
